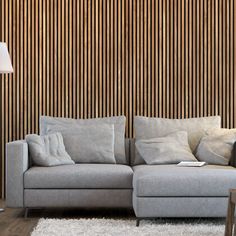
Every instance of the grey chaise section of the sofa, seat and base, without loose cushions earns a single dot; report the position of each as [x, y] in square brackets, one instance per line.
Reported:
[171, 191]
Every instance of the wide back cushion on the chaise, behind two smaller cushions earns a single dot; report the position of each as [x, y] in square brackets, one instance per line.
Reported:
[147, 128]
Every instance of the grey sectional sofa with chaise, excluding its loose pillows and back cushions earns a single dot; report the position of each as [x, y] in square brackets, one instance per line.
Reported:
[151, 190]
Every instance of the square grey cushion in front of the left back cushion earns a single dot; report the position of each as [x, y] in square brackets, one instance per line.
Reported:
[88, 143]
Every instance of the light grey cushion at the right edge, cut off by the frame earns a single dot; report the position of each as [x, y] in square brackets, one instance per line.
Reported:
[216, 146]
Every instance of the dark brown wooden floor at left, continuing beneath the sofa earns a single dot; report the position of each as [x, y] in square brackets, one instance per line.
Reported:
[13, 223]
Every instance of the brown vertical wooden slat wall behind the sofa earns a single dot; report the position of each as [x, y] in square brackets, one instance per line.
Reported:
[84, 58]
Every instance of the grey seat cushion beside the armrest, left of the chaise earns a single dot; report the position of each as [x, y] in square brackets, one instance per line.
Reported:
[79, 176]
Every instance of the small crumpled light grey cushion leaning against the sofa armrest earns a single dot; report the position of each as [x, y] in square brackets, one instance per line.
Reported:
[48, 150]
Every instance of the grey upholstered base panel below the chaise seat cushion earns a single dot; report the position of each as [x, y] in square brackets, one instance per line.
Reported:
[180, 206]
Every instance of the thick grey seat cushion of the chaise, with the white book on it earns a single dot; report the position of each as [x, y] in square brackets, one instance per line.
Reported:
[174, 181]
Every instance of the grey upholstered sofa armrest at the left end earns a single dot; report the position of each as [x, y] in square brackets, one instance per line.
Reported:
[17, 162]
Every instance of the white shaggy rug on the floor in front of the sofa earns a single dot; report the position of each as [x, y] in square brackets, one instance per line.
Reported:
[113, 227]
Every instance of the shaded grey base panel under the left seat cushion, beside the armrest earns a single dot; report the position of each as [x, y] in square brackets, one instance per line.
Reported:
[91, 198]
